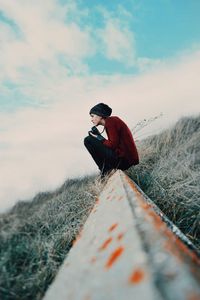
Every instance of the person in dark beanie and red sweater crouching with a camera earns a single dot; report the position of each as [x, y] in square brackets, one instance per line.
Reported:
[119, 150]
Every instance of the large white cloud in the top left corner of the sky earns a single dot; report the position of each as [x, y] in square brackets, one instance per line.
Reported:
[43, 36]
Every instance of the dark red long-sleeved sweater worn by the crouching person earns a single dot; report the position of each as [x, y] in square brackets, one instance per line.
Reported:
[121, 140]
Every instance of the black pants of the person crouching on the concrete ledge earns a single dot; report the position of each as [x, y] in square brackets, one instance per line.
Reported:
[105, 158]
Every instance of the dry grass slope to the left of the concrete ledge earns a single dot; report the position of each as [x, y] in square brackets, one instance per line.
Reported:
[36, 236]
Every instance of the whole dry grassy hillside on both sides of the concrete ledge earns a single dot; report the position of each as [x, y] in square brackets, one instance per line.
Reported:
[36, 236]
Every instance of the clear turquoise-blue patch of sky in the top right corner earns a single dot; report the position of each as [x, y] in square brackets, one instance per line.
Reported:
[162, 28]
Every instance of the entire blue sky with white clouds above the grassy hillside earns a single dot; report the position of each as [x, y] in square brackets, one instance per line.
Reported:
[58, 58]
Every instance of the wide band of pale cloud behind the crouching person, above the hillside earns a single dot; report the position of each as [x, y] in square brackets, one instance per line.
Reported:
[43, 147]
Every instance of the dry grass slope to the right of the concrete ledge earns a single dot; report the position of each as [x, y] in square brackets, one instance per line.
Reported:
[169, 173]
